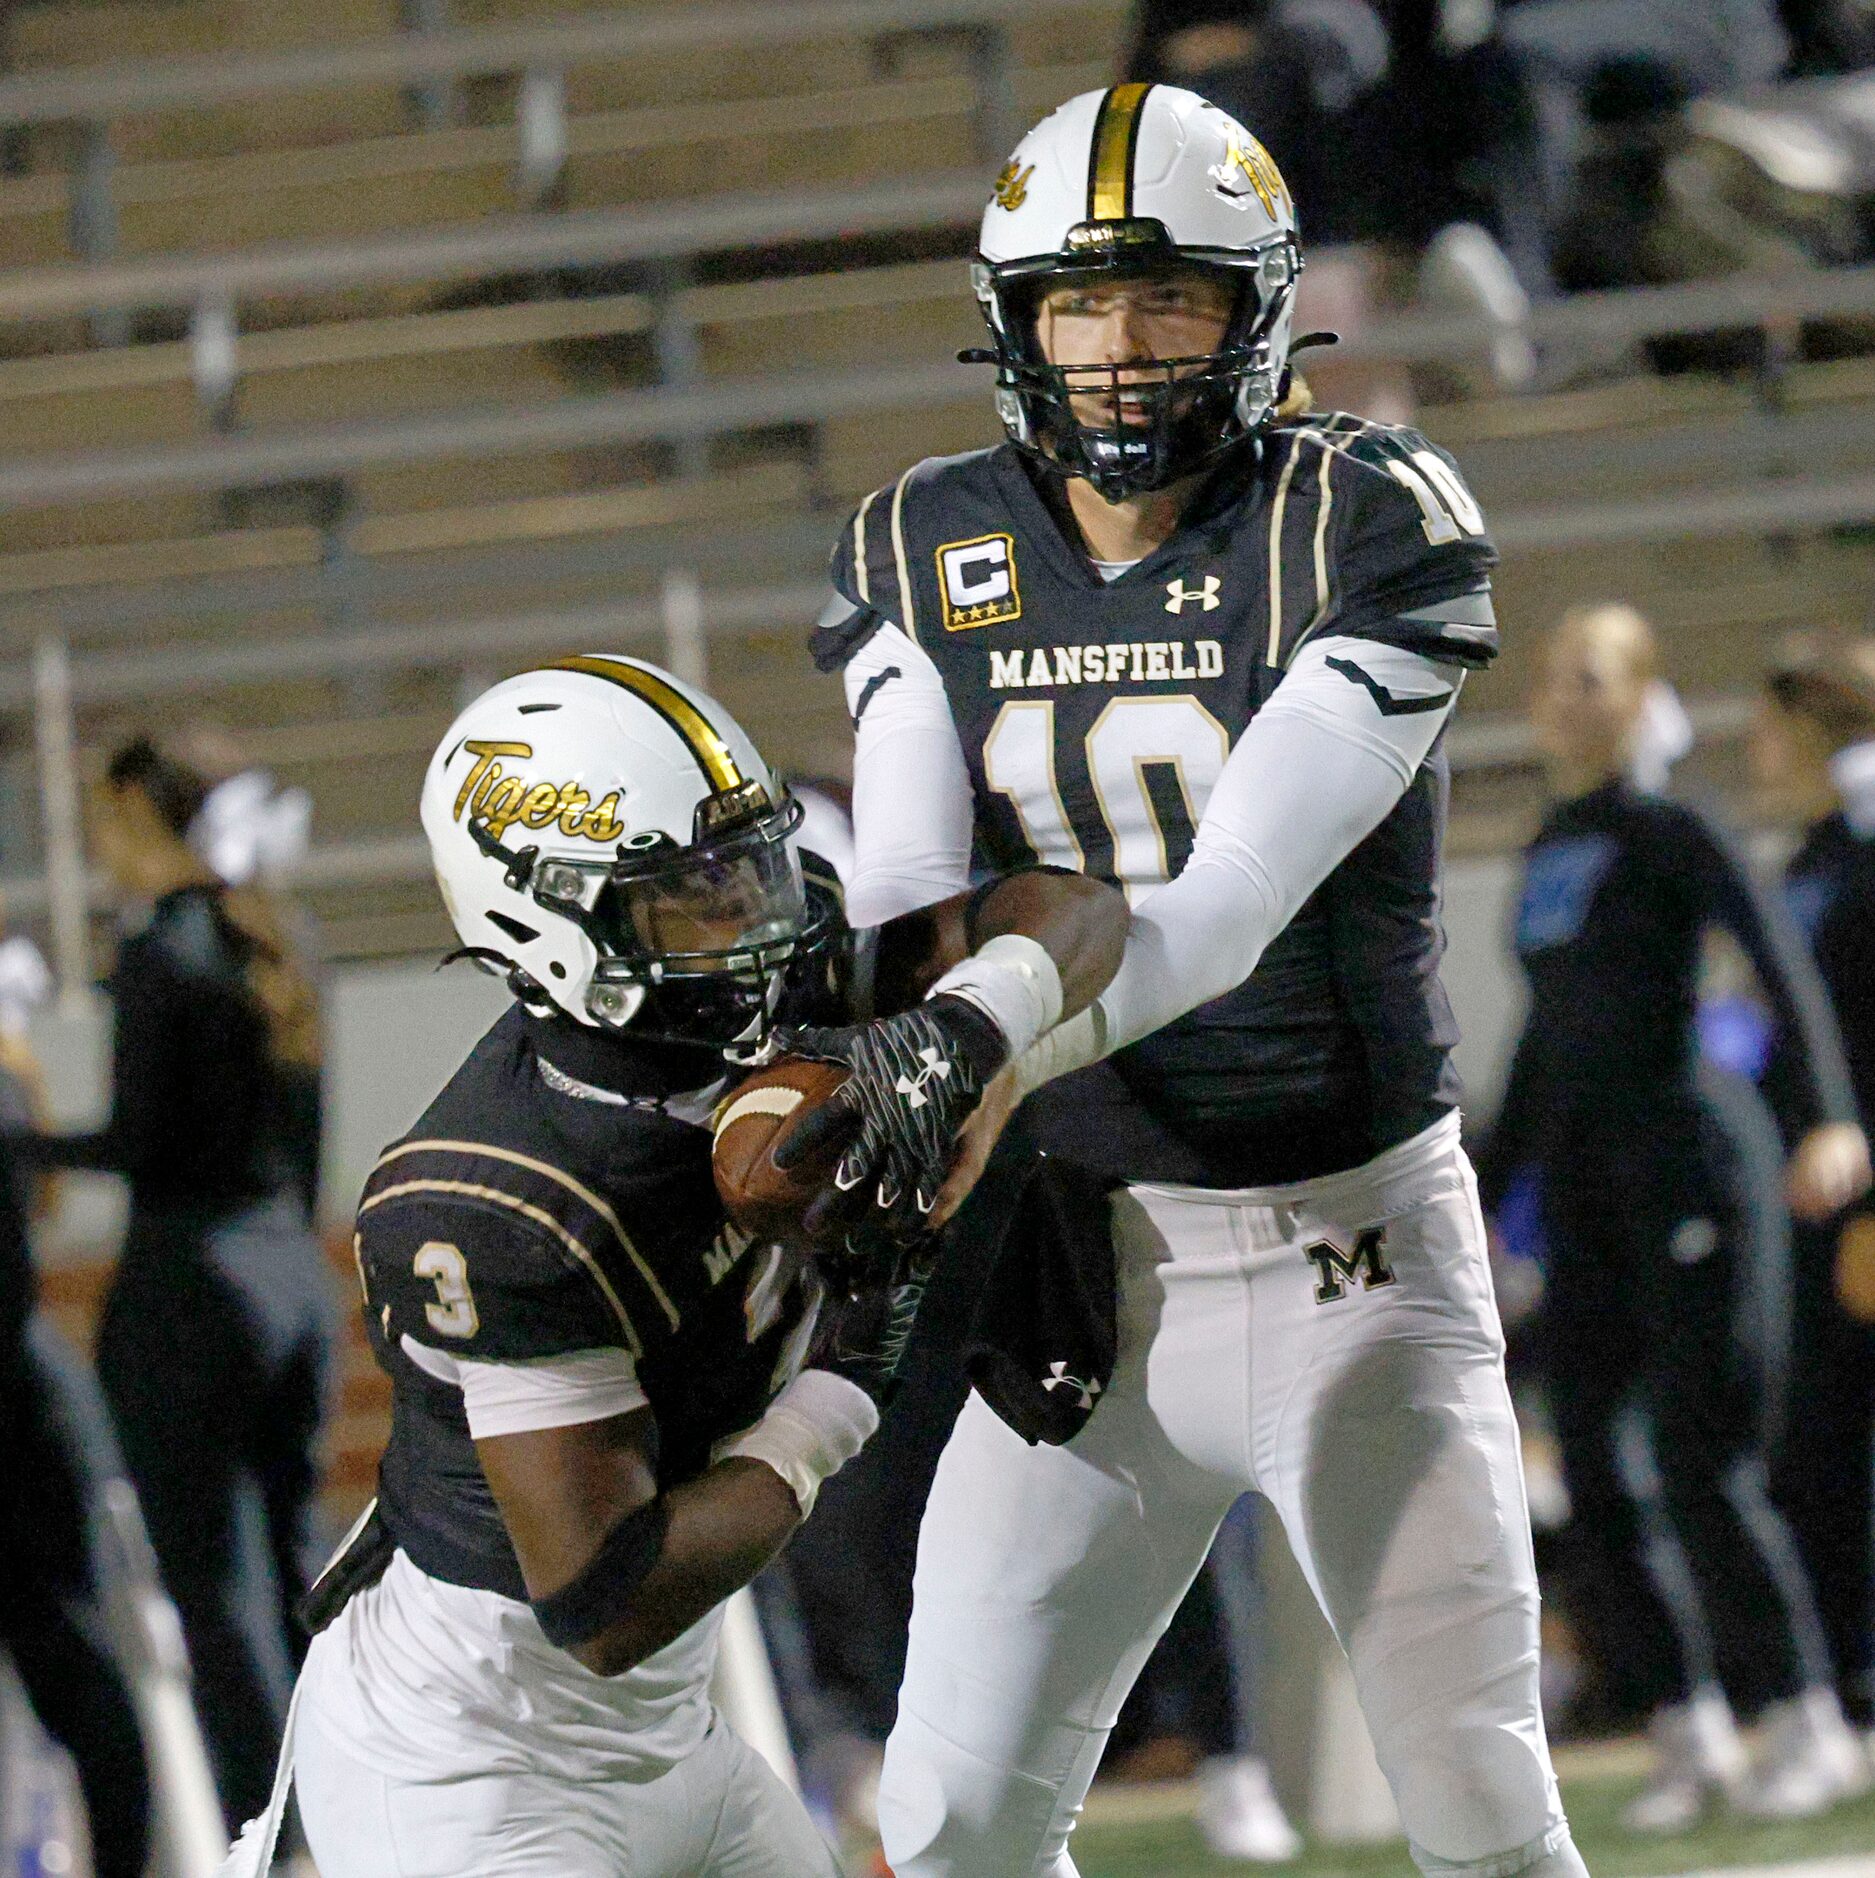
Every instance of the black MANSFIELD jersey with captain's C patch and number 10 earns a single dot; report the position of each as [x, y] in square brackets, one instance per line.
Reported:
[1096, 718]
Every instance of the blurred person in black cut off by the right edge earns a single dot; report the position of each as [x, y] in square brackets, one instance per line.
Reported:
[1814, 748]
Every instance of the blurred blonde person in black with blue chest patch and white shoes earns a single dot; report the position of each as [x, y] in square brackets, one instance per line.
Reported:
[1652, 1212]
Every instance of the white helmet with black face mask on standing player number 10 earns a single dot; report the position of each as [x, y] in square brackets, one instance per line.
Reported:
[1139, 179]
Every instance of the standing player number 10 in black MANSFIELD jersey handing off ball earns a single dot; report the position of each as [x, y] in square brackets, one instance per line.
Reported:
[1185, 638]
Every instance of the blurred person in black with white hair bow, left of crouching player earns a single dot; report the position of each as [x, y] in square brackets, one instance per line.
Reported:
[219, 1331]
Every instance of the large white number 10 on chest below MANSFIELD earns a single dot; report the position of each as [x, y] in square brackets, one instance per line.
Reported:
[1153, 763]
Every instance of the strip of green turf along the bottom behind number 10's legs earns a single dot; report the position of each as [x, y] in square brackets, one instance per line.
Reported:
[1156, 1847]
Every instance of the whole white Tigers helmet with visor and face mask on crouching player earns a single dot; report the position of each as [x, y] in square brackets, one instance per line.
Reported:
[612, 842]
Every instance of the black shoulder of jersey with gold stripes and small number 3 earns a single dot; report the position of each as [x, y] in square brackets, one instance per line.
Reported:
[548, 1263]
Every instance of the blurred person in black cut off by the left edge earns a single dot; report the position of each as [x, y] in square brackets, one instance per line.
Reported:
[50, 1618]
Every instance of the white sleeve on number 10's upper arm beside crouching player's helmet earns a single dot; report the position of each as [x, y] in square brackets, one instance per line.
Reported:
[912, 797]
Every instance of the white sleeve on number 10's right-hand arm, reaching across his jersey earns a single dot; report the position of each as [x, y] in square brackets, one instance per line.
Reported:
[1318, 771]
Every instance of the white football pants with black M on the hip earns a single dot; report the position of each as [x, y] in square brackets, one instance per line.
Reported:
[1333, 1346]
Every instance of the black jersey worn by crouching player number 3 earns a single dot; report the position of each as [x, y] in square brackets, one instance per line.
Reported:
[557, 1197]
